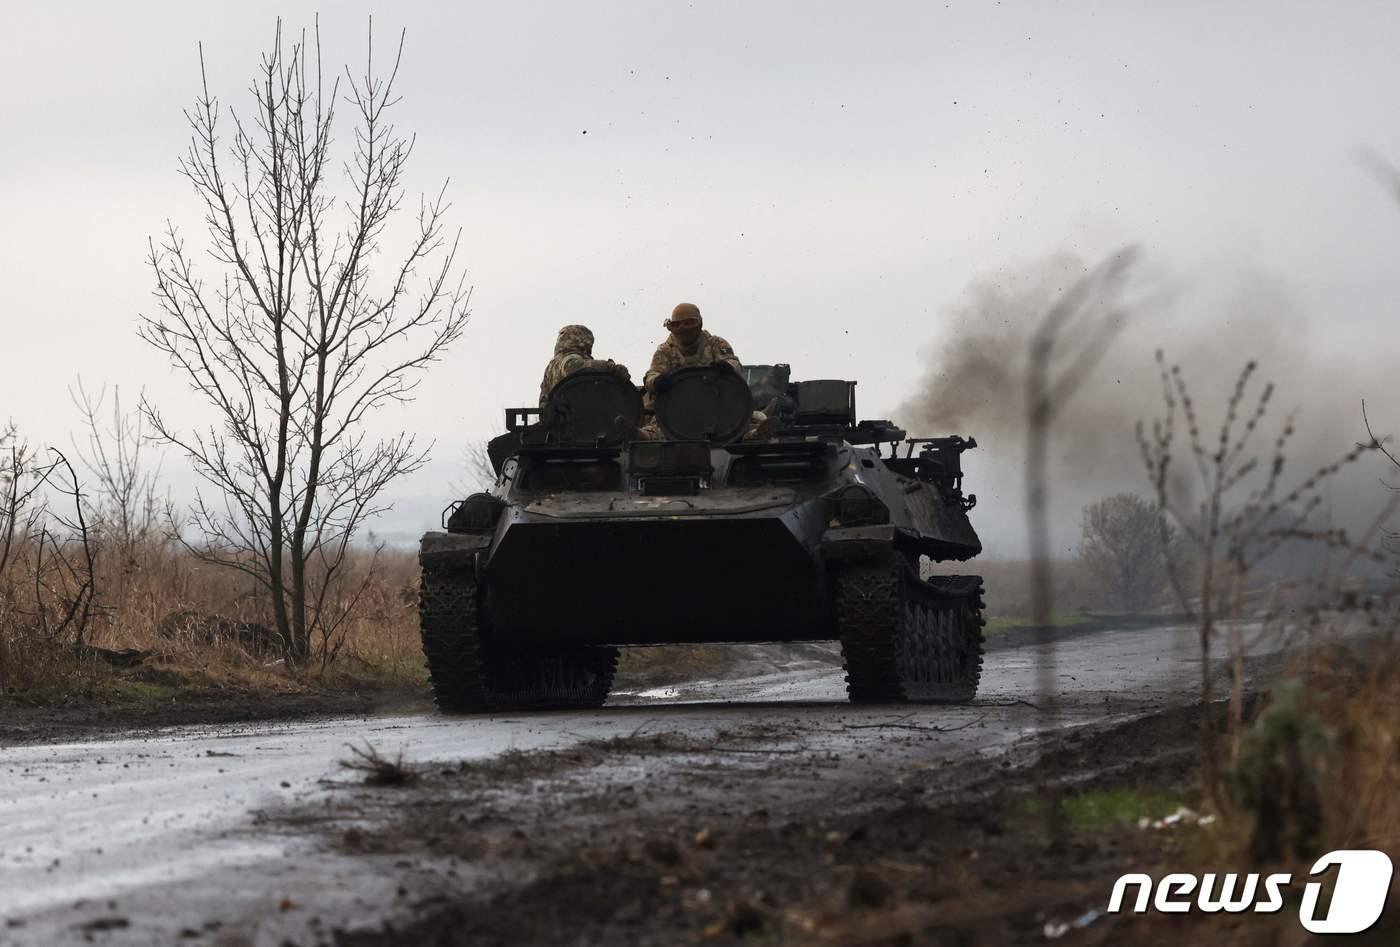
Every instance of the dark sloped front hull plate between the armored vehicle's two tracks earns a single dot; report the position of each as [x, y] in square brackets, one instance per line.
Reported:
[656, 582]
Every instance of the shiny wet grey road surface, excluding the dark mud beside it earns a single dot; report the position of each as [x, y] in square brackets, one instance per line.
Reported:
[156, 838]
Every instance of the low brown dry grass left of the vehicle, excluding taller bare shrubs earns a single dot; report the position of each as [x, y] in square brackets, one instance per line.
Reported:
[167, 625]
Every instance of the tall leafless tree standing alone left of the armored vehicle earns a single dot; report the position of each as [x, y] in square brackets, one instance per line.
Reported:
[306, 333]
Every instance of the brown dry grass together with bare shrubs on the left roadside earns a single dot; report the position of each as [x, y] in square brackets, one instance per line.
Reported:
[101, 603]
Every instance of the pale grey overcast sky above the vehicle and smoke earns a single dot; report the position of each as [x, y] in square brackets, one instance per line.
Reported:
[824, 180]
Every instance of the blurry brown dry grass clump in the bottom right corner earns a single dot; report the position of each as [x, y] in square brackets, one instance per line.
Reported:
[1322, 756]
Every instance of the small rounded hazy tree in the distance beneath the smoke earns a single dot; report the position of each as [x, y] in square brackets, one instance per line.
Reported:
[1122, 547]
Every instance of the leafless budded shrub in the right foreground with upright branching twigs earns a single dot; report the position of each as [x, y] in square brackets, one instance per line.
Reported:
[1235, 508]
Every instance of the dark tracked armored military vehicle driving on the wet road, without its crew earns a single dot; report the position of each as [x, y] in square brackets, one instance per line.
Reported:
[600, 536]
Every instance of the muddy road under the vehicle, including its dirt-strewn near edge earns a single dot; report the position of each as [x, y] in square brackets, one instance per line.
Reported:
[255, 836]
